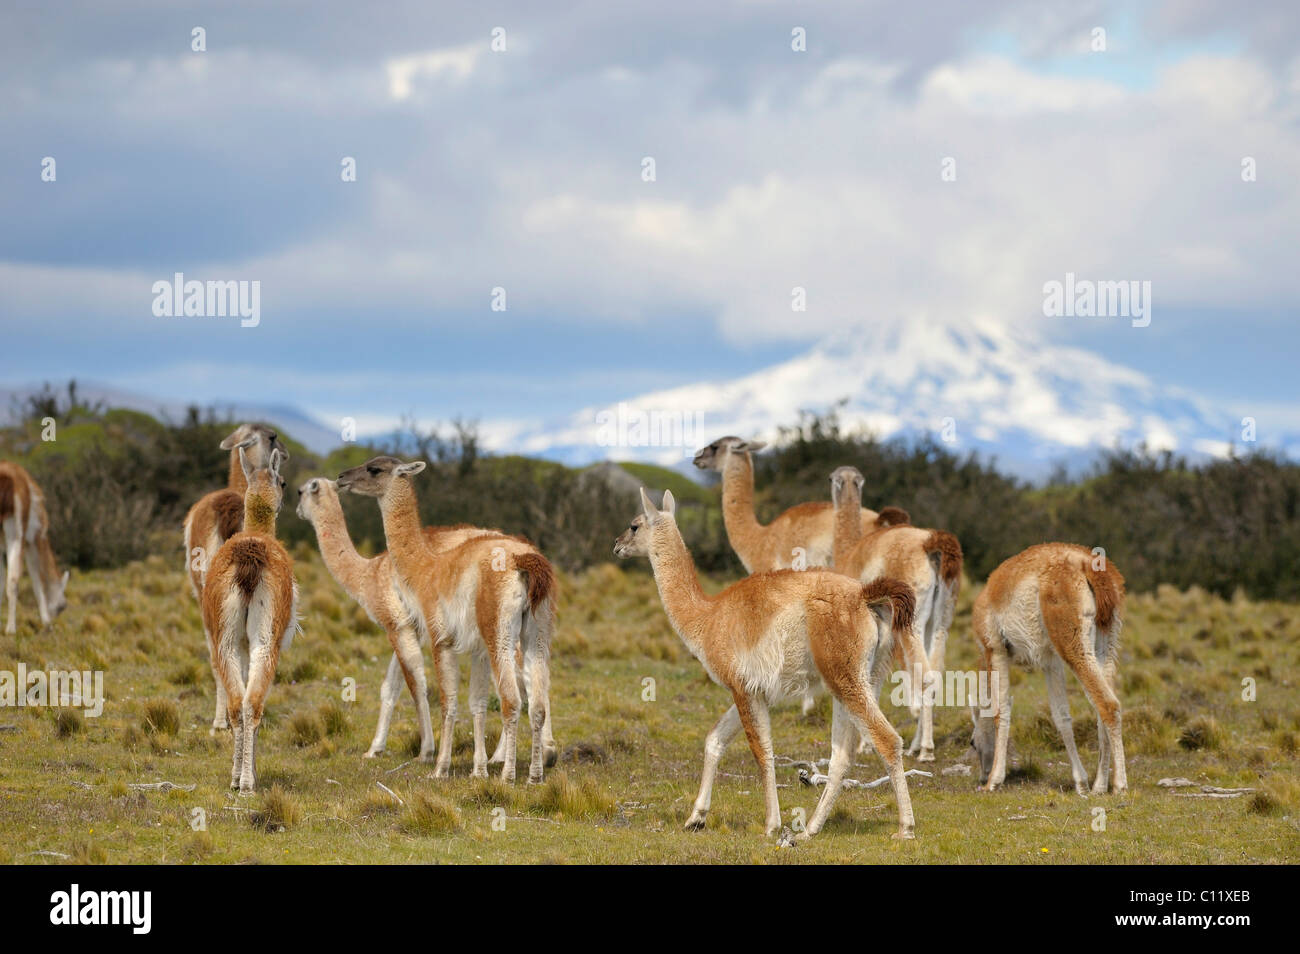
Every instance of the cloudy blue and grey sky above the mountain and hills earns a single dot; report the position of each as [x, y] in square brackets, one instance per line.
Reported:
[525, 170]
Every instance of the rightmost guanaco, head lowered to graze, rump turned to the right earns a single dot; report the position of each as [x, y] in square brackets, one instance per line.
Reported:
[1052, 606]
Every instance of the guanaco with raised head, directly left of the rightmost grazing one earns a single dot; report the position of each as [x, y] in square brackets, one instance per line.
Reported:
[930, 562]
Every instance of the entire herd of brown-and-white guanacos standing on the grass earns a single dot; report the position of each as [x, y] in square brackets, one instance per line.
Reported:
[837, 597]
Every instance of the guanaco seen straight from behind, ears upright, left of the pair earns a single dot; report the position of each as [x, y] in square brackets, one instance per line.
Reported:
[250, 612]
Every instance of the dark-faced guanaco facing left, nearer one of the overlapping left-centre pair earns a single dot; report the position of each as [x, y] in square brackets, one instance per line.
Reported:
[486, 597]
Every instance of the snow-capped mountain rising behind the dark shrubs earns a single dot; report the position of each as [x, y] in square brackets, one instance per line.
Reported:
[980, 388]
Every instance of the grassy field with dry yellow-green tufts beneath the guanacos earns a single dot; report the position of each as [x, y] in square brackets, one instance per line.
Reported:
[630, 767]
